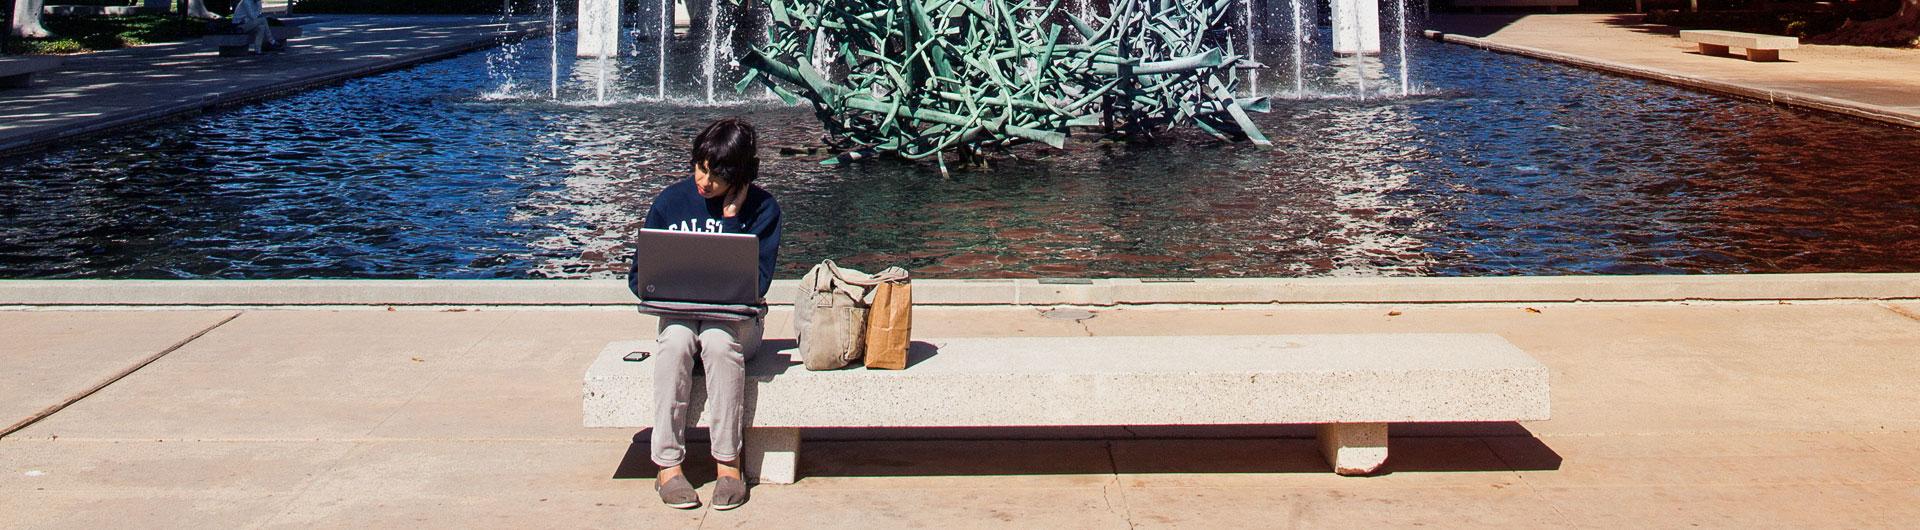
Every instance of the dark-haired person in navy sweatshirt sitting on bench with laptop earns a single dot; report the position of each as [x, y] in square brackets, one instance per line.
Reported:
[719, 199]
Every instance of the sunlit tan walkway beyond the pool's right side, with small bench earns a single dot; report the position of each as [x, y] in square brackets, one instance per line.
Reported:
[1879, 84]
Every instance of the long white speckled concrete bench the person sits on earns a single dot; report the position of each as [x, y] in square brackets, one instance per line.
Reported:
[1351, 385]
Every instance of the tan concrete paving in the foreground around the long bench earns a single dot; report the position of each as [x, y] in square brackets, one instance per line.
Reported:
[1723, 416]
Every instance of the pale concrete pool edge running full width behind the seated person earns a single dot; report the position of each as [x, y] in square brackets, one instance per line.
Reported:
[996, 291]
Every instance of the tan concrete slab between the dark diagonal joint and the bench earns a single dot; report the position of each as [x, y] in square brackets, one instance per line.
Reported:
[279, 375]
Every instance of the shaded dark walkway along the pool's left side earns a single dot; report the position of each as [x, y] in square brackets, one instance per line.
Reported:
[128, 87]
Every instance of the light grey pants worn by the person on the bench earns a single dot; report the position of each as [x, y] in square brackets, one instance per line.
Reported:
[723, 349]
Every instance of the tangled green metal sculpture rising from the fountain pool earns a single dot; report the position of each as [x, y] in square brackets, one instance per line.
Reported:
[923, 78]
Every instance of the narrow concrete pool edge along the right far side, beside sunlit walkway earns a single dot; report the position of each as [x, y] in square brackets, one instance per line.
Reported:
[1792, 99]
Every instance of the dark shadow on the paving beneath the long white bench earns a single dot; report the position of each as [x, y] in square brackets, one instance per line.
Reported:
[1159, 450]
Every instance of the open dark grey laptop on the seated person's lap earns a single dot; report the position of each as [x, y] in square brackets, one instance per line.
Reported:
[700, 268]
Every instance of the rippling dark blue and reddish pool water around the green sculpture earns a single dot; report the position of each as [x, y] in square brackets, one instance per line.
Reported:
[1502, 166]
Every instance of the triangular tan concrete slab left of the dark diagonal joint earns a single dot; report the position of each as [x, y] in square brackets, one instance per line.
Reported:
[57, 356]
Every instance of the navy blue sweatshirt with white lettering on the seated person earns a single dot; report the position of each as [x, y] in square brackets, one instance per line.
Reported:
[683, 208]
